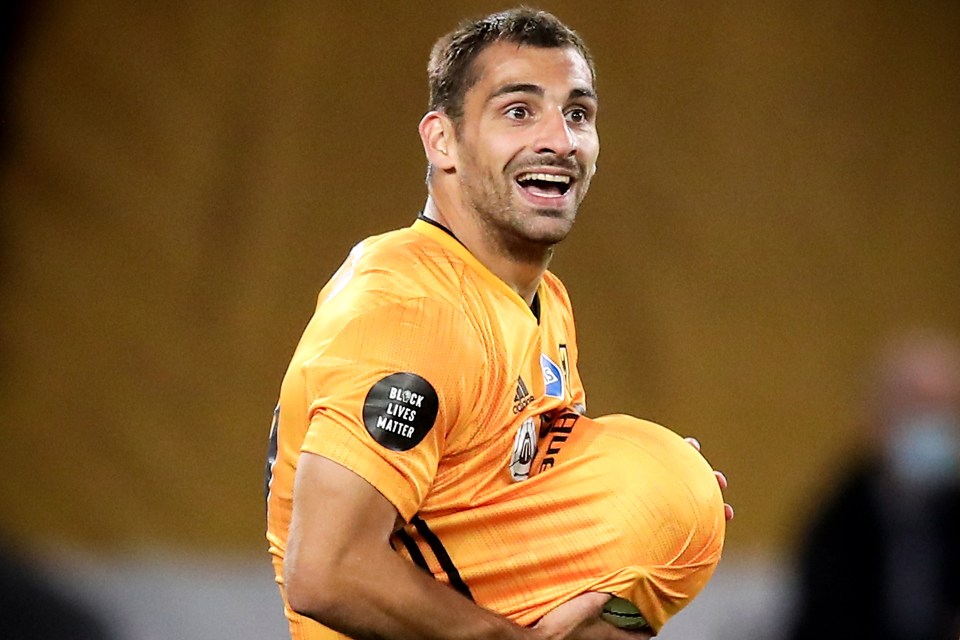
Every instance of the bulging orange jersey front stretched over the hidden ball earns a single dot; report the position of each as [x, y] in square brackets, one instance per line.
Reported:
[616, 505]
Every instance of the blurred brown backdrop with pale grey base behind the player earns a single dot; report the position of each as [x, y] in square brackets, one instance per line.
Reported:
[778, 193]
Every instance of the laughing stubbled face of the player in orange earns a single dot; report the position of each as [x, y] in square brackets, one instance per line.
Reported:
[527, 144]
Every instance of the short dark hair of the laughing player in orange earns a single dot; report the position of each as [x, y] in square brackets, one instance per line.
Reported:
[450, 71]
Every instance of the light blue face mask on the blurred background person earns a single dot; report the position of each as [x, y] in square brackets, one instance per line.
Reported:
[925, 449]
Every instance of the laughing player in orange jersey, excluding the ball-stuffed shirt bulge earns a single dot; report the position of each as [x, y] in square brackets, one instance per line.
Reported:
[438, 353]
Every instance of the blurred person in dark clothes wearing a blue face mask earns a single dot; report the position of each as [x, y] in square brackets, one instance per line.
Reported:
[882, 553]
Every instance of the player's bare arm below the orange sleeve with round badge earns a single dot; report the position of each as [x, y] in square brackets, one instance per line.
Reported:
[345, 575]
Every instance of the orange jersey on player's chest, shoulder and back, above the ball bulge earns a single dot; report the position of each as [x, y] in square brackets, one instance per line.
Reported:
[425, 374]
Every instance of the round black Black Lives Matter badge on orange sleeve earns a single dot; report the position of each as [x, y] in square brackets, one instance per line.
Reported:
[400, 410]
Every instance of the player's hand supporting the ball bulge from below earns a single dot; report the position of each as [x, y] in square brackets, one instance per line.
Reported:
[579, 619]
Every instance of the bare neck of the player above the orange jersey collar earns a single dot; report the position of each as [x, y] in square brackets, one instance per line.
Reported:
[522, 273]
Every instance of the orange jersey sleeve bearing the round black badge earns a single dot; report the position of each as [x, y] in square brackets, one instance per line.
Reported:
[388, 390]
